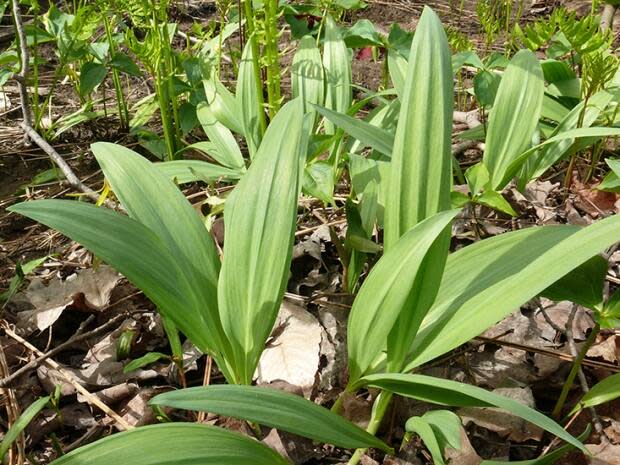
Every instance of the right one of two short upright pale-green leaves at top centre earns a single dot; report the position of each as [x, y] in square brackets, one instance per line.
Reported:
[337, 66]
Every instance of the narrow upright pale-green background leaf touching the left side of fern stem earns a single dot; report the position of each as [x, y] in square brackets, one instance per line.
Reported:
[248, 99]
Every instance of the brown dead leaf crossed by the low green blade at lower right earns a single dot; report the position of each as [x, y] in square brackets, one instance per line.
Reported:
[502, 422]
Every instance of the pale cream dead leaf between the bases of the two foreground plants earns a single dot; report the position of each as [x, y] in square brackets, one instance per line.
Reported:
[293, 355]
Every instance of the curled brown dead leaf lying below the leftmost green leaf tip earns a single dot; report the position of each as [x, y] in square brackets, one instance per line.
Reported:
[89, 287]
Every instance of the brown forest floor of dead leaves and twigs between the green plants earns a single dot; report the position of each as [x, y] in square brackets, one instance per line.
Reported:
[79, 308]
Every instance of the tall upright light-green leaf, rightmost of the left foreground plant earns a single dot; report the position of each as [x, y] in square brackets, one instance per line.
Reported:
[260, 217]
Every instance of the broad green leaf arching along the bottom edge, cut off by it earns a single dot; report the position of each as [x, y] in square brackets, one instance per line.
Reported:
[174, 444]
